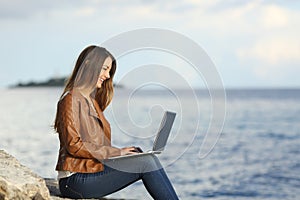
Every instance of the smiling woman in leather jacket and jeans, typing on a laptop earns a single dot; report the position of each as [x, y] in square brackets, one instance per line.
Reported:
[85, 137]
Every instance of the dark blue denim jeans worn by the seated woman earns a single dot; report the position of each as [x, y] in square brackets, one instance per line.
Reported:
[118, 174]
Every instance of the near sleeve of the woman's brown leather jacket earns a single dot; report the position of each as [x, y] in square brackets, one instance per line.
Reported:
[70, 137]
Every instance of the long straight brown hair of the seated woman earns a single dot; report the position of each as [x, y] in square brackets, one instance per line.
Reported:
[86, 72]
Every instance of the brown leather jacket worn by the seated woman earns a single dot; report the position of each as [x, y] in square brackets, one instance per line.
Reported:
[84, 134]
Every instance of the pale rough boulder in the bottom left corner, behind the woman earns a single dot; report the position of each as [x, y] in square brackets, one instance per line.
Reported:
[19, 182]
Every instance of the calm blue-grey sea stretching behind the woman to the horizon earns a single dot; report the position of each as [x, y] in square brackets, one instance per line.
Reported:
[257, 156]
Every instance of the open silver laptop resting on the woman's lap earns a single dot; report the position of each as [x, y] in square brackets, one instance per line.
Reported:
[161, 136]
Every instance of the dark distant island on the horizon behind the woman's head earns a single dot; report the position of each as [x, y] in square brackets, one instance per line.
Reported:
[52, 82]
